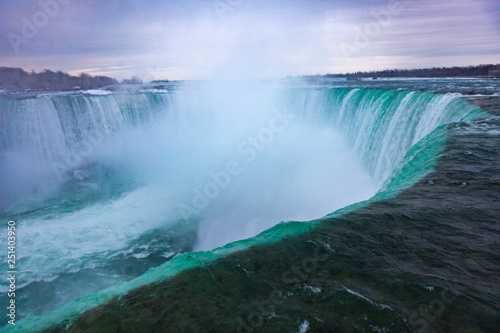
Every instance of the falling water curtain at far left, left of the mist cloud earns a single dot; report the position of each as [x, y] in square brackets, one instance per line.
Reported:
[56, 134]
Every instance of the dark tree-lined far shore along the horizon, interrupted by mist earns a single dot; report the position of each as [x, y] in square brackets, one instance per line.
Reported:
[17, 79]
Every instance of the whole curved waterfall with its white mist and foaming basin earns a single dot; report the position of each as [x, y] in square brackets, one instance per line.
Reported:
[113, 172]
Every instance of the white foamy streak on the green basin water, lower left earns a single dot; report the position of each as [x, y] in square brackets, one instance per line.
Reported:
[53, 245]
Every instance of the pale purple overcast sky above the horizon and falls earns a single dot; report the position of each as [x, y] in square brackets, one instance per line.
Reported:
[194, 39]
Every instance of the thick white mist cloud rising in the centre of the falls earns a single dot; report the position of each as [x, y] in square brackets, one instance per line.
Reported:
[234, 157]
